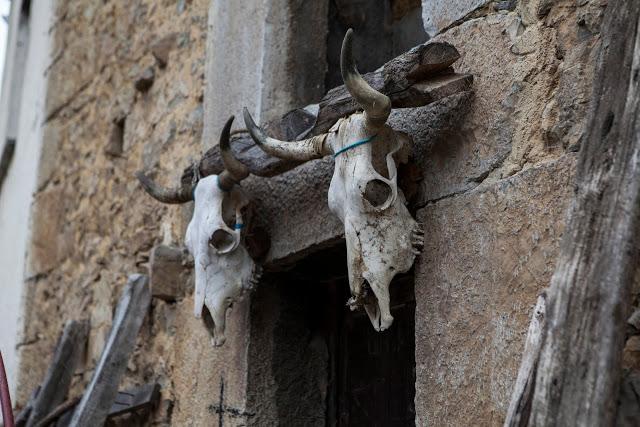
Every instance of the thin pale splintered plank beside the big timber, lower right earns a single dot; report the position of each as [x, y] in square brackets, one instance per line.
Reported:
[520, 406]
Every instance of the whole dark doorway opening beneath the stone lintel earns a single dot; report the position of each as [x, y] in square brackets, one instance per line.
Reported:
[314, 362]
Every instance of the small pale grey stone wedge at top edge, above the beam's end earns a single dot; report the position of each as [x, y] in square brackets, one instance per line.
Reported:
[437, 15]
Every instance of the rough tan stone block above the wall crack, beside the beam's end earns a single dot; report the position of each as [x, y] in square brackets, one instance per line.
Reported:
[501, 130]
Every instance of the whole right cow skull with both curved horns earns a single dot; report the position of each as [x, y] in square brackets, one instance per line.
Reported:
[382, 237]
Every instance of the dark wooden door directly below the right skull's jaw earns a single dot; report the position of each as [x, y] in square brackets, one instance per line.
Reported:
[375, 378]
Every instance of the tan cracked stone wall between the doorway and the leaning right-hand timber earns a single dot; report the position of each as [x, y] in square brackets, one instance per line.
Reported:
[495, 193]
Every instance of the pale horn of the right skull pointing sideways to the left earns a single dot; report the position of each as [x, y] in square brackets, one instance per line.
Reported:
[307, 149]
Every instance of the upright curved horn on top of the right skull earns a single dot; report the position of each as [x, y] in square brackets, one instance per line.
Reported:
[376, 106]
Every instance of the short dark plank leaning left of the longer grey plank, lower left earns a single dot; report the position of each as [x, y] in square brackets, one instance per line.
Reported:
[67, 355]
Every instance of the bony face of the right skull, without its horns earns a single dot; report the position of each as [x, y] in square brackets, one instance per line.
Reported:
[382, 240]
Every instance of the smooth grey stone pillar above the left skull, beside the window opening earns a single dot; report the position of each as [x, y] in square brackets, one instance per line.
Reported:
[257, 75]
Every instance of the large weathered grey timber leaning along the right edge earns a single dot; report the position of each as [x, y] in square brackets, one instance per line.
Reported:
[581, 359]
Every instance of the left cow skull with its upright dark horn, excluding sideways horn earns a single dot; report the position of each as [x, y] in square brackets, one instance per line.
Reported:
[223, 268]
